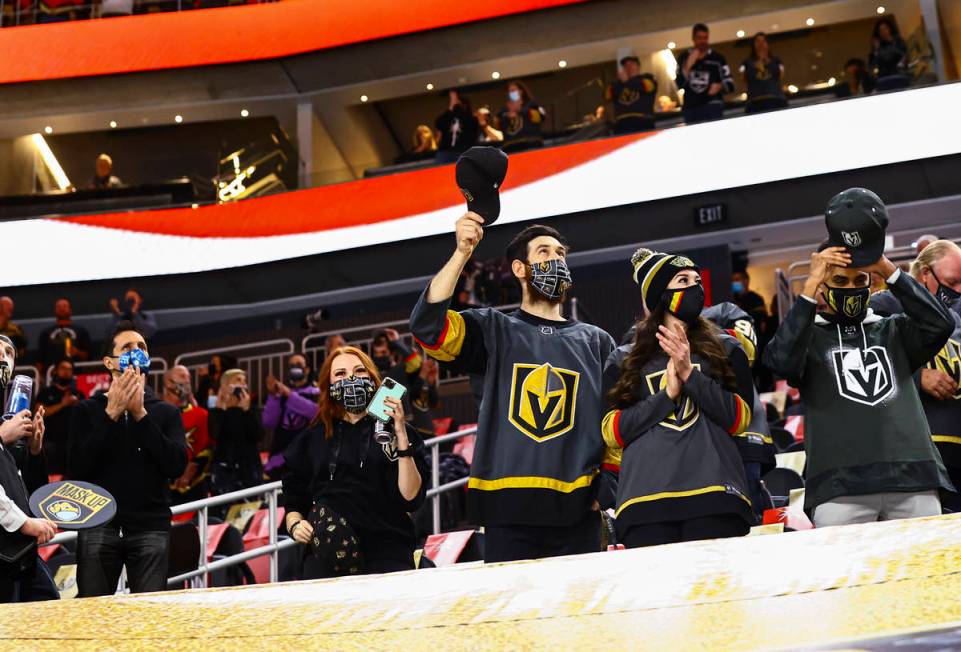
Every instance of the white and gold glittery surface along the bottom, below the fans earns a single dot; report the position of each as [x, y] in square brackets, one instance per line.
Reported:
[783, 591]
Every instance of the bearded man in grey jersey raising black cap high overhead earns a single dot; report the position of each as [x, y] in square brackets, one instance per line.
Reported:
[536, 475]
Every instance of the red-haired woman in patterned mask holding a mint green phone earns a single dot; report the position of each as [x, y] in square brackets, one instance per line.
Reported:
[342, 485]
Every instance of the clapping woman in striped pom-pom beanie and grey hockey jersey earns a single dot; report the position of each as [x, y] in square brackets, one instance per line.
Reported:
[678, 395]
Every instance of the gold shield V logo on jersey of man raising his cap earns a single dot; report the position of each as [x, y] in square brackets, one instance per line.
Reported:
[543, 400]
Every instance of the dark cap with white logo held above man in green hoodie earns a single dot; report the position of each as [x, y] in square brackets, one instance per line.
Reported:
[857, 220]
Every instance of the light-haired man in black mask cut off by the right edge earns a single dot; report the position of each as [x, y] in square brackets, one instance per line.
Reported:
[938, 269]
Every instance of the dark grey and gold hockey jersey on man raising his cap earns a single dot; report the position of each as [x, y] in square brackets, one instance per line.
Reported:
[539, 450]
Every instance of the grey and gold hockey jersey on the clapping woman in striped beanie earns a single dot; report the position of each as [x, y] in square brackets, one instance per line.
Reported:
[680, 460]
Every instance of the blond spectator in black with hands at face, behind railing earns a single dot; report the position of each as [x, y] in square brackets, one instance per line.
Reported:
[235, 426]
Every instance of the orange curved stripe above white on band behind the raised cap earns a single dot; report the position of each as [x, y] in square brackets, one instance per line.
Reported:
[368, 201]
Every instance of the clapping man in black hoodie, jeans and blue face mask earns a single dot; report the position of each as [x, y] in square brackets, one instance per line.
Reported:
[132, 444]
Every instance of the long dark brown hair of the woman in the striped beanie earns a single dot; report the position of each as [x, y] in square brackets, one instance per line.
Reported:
[704, 342]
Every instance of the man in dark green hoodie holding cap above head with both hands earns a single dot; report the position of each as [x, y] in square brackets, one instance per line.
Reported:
[869, 451]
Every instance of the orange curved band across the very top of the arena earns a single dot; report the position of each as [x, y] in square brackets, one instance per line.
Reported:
[215, 36]
